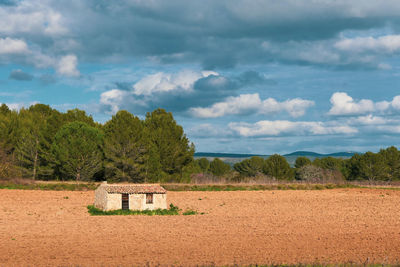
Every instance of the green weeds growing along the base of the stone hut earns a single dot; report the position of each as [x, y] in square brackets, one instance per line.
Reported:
[173, 210]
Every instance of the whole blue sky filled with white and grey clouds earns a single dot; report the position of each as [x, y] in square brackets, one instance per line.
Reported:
[240, 76]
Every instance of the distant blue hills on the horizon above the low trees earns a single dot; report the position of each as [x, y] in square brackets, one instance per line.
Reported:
[232, 158]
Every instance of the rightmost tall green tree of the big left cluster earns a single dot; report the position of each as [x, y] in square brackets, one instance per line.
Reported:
[168, 146]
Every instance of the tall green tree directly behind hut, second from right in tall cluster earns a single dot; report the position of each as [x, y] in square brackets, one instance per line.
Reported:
[124, 148]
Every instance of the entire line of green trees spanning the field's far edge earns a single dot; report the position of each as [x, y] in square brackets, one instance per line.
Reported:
[42, 143]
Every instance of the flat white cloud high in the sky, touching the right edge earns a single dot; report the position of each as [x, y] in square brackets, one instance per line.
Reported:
[383, 44]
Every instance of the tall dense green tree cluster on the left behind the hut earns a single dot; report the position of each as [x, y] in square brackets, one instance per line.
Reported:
[42, 143]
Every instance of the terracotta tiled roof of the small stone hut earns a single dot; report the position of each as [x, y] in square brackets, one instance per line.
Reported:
[135, 189]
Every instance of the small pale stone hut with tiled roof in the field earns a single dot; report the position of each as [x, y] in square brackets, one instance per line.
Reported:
[130, 196]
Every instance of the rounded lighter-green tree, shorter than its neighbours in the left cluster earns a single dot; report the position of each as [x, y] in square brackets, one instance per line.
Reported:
[78, 150]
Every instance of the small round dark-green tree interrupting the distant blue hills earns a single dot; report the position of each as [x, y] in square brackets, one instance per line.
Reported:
[278, 167]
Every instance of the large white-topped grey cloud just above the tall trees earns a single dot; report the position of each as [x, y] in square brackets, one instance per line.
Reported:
[176, 91]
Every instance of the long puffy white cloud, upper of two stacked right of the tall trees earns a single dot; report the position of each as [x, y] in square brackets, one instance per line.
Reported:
[251, 103]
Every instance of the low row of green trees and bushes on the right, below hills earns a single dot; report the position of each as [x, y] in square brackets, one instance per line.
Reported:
[381, 166]
